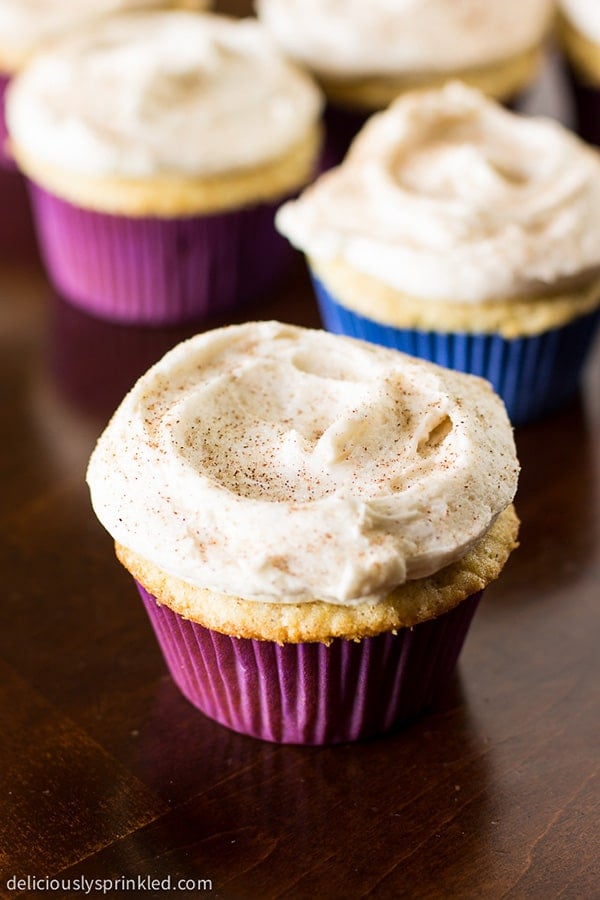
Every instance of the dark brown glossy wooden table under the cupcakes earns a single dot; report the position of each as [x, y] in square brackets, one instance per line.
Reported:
[107, 773]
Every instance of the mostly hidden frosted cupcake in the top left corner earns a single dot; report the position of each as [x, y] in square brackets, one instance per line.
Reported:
[29, 26]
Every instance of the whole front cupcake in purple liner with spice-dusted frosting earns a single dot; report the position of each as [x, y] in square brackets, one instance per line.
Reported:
[310, 521]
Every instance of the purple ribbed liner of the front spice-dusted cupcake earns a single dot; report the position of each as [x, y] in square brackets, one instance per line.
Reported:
[310, 693]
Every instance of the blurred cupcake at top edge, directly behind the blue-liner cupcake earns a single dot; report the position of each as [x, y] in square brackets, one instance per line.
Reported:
[365, 54]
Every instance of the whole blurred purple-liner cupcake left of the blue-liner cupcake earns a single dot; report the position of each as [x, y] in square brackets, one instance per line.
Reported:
[158, 146]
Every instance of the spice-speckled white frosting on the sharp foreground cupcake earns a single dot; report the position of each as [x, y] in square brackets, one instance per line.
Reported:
[284, 464]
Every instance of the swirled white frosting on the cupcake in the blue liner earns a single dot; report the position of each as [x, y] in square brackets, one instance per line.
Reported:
[449, 197]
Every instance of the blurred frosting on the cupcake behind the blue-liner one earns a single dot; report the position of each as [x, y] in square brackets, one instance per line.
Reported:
[354, 37]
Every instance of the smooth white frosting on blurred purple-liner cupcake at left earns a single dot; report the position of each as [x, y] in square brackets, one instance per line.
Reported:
[161, 93]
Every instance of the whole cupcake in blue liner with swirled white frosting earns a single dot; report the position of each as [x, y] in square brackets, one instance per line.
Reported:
[463, 233]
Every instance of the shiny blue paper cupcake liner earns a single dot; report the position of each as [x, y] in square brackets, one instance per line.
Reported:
[533, 375]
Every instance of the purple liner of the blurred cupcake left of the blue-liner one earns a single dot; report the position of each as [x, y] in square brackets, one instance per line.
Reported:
[158, 271]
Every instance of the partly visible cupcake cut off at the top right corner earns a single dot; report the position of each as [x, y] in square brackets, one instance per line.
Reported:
[579, 32]
